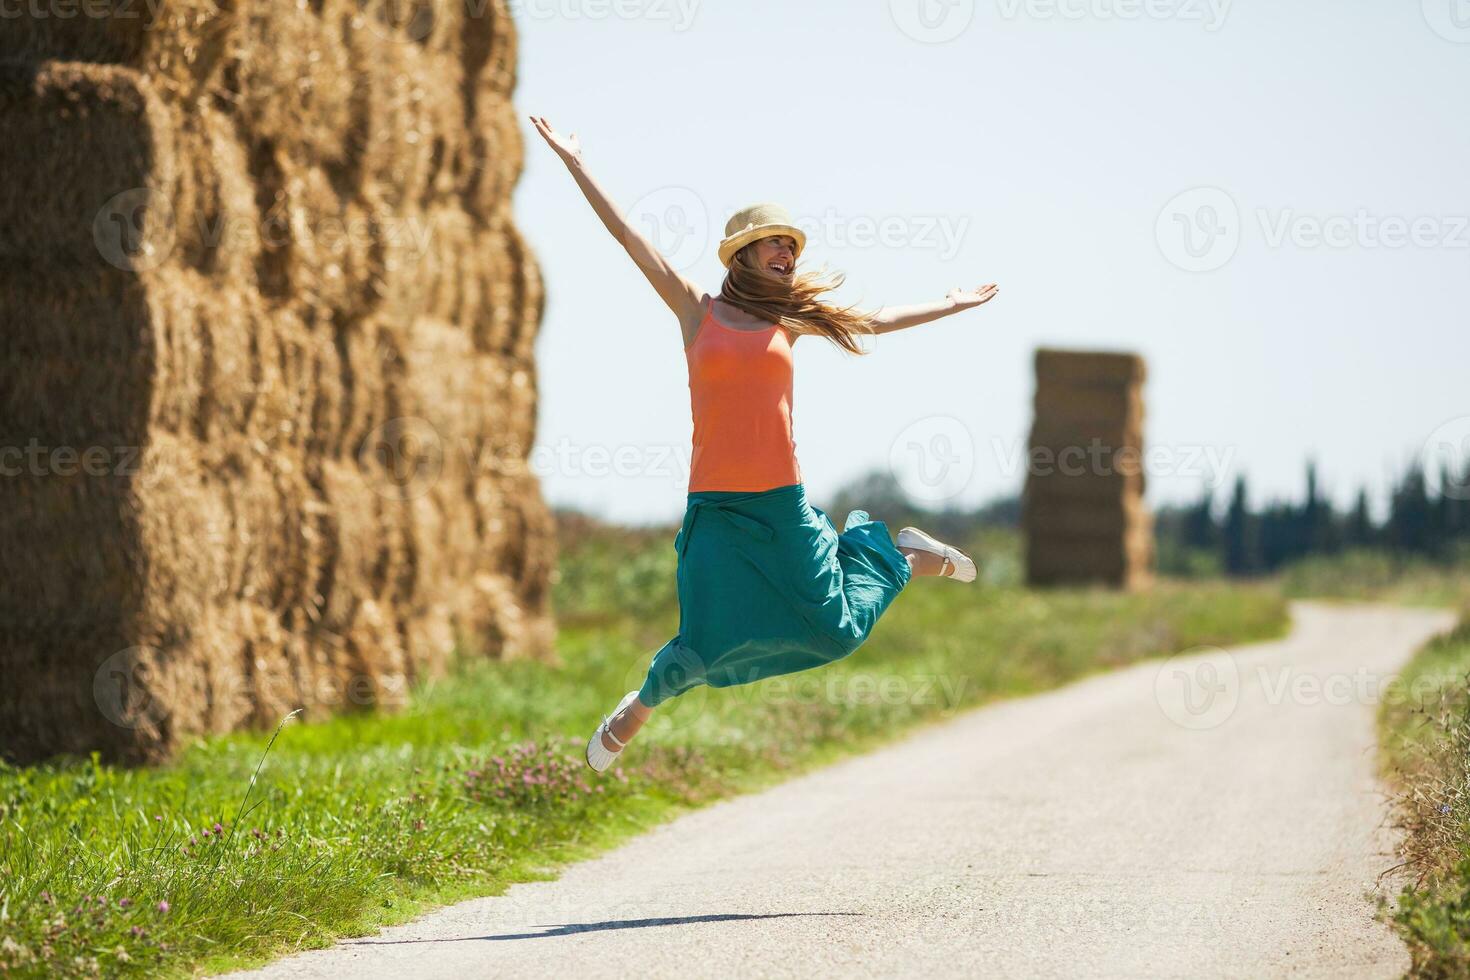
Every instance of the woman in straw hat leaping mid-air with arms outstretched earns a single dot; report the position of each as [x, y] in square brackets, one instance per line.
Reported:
[767, 584]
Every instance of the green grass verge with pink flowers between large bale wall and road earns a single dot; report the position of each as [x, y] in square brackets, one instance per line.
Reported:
[364, 821]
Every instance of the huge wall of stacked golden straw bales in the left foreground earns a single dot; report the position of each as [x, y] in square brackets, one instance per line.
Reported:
[267, 380]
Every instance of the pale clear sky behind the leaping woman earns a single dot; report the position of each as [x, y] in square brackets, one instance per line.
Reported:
[1058, 149]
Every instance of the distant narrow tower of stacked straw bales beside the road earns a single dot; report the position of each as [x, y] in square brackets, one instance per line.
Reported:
[1084, 511]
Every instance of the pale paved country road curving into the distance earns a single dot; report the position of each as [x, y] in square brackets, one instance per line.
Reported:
[1211, 816]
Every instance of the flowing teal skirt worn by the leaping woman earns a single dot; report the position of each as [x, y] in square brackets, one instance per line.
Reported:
[768, 587]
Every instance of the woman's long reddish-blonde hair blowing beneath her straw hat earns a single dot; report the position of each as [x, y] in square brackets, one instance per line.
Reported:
[795, 305]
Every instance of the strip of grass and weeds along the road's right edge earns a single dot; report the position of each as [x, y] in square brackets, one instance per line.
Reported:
[1425, 727]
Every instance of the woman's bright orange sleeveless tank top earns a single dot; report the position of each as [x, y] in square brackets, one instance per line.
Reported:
[742, 394]
